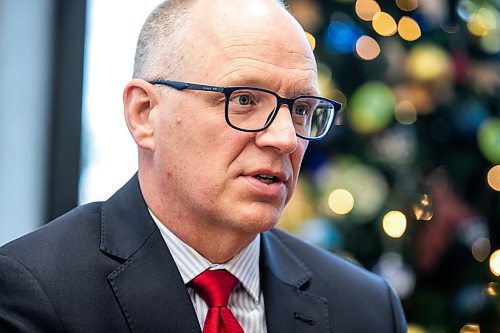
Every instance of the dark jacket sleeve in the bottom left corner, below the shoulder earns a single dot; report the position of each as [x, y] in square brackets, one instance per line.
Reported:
[24, 306]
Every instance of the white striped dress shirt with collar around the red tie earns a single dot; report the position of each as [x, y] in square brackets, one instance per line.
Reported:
[246, 301]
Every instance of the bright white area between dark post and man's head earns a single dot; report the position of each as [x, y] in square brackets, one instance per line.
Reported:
[109, 153]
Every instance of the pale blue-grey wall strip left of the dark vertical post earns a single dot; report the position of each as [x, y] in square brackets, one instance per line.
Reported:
[25, 46]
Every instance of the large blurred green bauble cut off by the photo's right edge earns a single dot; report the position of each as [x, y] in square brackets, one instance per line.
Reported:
[489, 139]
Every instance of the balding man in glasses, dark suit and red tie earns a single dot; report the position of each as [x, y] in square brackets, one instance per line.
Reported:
[216, 168]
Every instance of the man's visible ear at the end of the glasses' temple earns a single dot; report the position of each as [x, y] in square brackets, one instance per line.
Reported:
[140, 101]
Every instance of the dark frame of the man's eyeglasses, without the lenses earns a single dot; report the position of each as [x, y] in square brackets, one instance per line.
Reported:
[227, 91]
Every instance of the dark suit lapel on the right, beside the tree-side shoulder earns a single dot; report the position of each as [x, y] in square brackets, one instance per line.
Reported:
[284, 279]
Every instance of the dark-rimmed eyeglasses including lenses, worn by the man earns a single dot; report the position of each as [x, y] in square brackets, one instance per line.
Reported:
[250, 109]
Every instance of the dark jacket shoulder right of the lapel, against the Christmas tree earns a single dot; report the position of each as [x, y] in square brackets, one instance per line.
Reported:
[348, 288]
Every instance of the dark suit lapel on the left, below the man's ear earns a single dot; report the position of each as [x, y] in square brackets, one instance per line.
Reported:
[147, 284]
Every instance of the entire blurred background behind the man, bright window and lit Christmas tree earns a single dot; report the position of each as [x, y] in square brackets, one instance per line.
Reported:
[407, 184]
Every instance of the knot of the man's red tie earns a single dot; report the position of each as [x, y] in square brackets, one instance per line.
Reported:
[214, 287]
